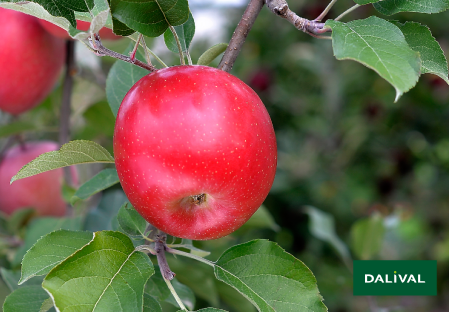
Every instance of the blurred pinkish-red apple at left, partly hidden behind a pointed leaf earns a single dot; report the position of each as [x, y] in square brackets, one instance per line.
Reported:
[42, 191]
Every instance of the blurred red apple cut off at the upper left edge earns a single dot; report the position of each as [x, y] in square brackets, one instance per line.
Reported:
[30, 61]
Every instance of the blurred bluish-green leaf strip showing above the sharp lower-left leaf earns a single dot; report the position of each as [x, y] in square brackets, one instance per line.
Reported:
[42, 226]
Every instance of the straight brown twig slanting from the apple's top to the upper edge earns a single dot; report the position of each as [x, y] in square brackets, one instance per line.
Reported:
[240, 34]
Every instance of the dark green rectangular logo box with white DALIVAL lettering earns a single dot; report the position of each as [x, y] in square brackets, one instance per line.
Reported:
[395, 278]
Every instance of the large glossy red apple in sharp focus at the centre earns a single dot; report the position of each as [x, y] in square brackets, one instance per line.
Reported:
[195, 151]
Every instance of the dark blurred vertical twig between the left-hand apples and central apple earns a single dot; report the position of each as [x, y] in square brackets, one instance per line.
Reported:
[64, 118]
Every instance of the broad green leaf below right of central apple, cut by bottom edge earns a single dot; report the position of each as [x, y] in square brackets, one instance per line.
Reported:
[269, 277]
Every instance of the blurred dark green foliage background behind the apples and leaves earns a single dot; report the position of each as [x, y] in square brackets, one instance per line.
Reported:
[359, 176]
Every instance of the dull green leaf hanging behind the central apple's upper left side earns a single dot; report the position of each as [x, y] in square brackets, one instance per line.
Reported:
[121, 78]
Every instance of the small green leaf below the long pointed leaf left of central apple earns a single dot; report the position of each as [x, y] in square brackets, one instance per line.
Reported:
[101, 181]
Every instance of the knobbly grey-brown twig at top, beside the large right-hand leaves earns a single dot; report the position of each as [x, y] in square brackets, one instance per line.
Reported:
[313, 28]
